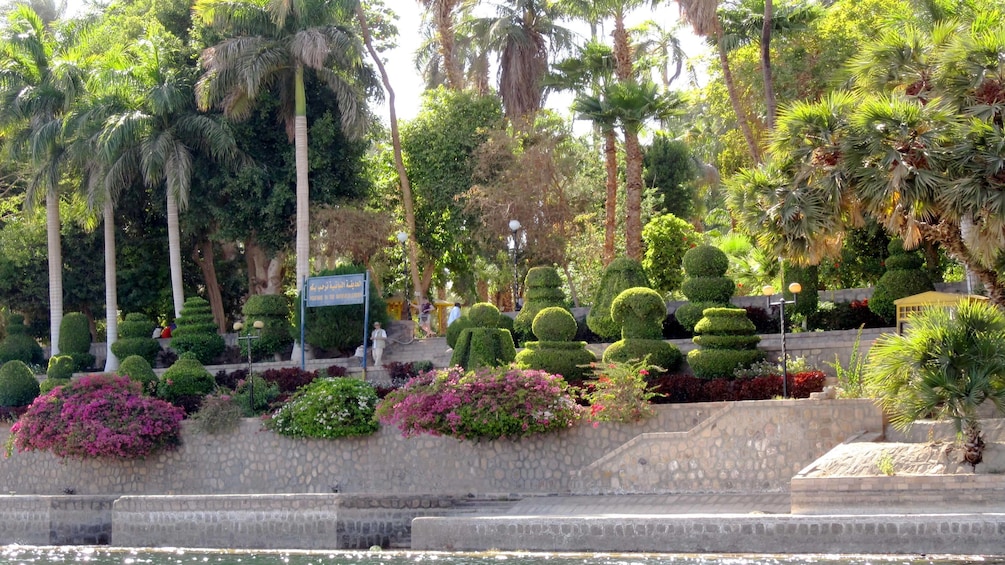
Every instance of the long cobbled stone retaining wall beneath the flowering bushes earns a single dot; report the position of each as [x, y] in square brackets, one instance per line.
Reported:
[759, 445]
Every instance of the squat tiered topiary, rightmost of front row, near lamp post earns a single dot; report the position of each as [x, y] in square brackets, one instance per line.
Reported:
[727, 340]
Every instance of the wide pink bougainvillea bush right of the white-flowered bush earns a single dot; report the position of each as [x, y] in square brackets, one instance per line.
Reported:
[489, 404]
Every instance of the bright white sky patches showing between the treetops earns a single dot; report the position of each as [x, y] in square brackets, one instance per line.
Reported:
[408, 83]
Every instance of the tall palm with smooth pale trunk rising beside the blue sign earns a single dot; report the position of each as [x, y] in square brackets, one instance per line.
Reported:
[272, 46]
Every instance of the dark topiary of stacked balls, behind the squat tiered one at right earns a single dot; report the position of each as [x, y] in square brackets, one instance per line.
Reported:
[706, 286]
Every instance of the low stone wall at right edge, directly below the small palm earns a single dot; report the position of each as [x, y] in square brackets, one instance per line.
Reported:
[921, 494]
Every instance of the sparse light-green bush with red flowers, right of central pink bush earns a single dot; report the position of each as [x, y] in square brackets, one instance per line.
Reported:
[621, 394]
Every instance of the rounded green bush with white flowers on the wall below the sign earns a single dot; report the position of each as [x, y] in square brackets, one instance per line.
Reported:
[328, 409]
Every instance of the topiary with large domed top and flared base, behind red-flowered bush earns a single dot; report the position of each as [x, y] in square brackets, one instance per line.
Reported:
[641, 313]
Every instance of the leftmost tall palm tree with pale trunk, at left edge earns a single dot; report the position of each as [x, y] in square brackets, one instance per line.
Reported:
[39, 84]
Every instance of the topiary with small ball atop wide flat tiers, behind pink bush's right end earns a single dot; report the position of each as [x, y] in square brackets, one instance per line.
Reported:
[555, 351]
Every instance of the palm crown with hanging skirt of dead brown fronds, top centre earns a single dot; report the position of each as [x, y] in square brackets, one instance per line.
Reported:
[523, 33]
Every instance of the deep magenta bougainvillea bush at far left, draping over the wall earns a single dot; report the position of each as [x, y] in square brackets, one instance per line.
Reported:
[98, 417]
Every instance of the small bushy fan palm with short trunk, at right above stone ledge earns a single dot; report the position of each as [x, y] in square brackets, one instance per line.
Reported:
[945, 367]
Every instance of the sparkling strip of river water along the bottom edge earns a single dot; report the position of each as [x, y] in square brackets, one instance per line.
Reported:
[25, 555]
